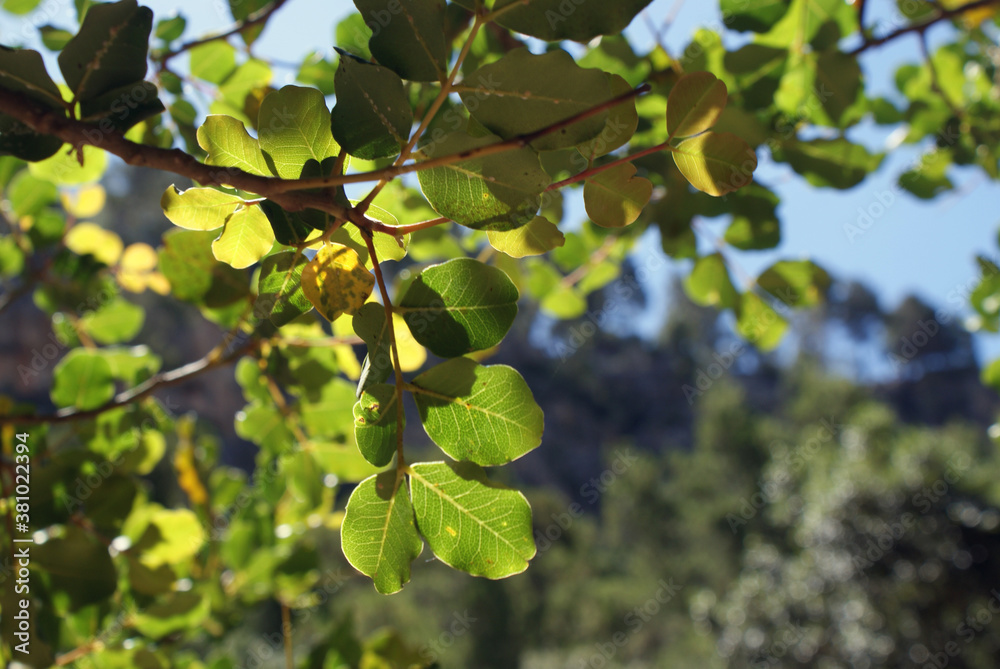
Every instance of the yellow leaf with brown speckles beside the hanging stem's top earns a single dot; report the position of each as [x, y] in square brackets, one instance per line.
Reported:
[336, 281]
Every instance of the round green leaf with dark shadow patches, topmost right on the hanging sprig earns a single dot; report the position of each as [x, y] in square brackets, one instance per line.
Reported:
[459, 306]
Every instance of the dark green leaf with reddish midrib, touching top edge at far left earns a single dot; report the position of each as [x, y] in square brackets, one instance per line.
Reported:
[109, 51]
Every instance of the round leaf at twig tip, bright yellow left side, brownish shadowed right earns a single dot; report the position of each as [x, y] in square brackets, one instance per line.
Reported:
[716, 163]
